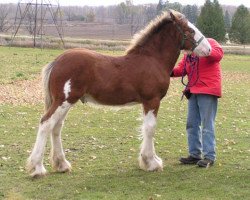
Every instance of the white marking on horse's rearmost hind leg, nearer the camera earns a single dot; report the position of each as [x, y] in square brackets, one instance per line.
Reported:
[35, 161]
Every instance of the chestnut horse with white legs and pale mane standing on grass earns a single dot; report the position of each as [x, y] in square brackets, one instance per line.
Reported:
[140, 76]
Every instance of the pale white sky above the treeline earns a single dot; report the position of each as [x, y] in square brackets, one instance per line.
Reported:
[115, 2]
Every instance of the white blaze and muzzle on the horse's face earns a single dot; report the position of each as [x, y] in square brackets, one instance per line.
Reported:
[203, 48]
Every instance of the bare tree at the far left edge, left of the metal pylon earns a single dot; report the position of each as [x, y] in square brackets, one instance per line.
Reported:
[4, 12]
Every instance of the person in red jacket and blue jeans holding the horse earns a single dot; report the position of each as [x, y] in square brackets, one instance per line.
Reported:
[202, 90]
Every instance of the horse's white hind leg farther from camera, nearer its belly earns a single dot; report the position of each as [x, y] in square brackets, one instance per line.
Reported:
[58, 159]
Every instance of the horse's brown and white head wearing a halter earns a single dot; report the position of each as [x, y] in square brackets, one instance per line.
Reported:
[192, 39]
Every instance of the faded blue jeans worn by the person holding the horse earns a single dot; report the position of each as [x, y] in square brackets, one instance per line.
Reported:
[202, 109]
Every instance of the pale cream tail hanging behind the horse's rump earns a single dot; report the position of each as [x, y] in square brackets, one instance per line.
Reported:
[45, 79]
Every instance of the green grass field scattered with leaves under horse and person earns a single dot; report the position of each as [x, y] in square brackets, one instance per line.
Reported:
[102, 144]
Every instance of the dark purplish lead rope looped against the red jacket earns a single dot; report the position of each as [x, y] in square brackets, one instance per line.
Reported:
[194, 64]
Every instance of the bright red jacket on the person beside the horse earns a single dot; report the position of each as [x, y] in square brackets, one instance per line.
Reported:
[207, 80]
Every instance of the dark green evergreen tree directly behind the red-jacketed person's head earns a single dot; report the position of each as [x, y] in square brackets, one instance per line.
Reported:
[211, 20]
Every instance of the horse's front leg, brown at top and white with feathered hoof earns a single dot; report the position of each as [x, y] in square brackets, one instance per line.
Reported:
[148, 160]
